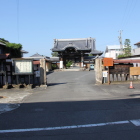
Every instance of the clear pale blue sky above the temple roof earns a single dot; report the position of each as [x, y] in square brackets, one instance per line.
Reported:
[35, 23]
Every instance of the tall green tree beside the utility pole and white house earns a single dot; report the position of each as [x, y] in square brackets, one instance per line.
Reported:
[127, 49]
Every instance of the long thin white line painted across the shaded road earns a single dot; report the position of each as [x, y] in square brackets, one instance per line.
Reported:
[62, 127]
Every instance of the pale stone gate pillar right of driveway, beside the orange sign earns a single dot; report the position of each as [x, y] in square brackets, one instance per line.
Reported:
[98, 70]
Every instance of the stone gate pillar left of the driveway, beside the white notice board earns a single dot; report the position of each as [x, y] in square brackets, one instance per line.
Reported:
[43, 76]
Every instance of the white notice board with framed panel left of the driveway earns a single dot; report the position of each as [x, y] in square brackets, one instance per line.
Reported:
[23, 66]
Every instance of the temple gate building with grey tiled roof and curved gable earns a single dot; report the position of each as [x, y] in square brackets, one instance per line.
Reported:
[74, 50]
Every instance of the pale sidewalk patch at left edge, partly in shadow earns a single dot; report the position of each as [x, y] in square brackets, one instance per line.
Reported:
[10, 99]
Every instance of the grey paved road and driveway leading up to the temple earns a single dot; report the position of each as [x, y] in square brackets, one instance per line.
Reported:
[74, 107]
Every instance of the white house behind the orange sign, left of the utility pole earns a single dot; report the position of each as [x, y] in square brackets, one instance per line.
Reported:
[113, 51]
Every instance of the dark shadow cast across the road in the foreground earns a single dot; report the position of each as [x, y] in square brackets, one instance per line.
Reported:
[69, 113]
